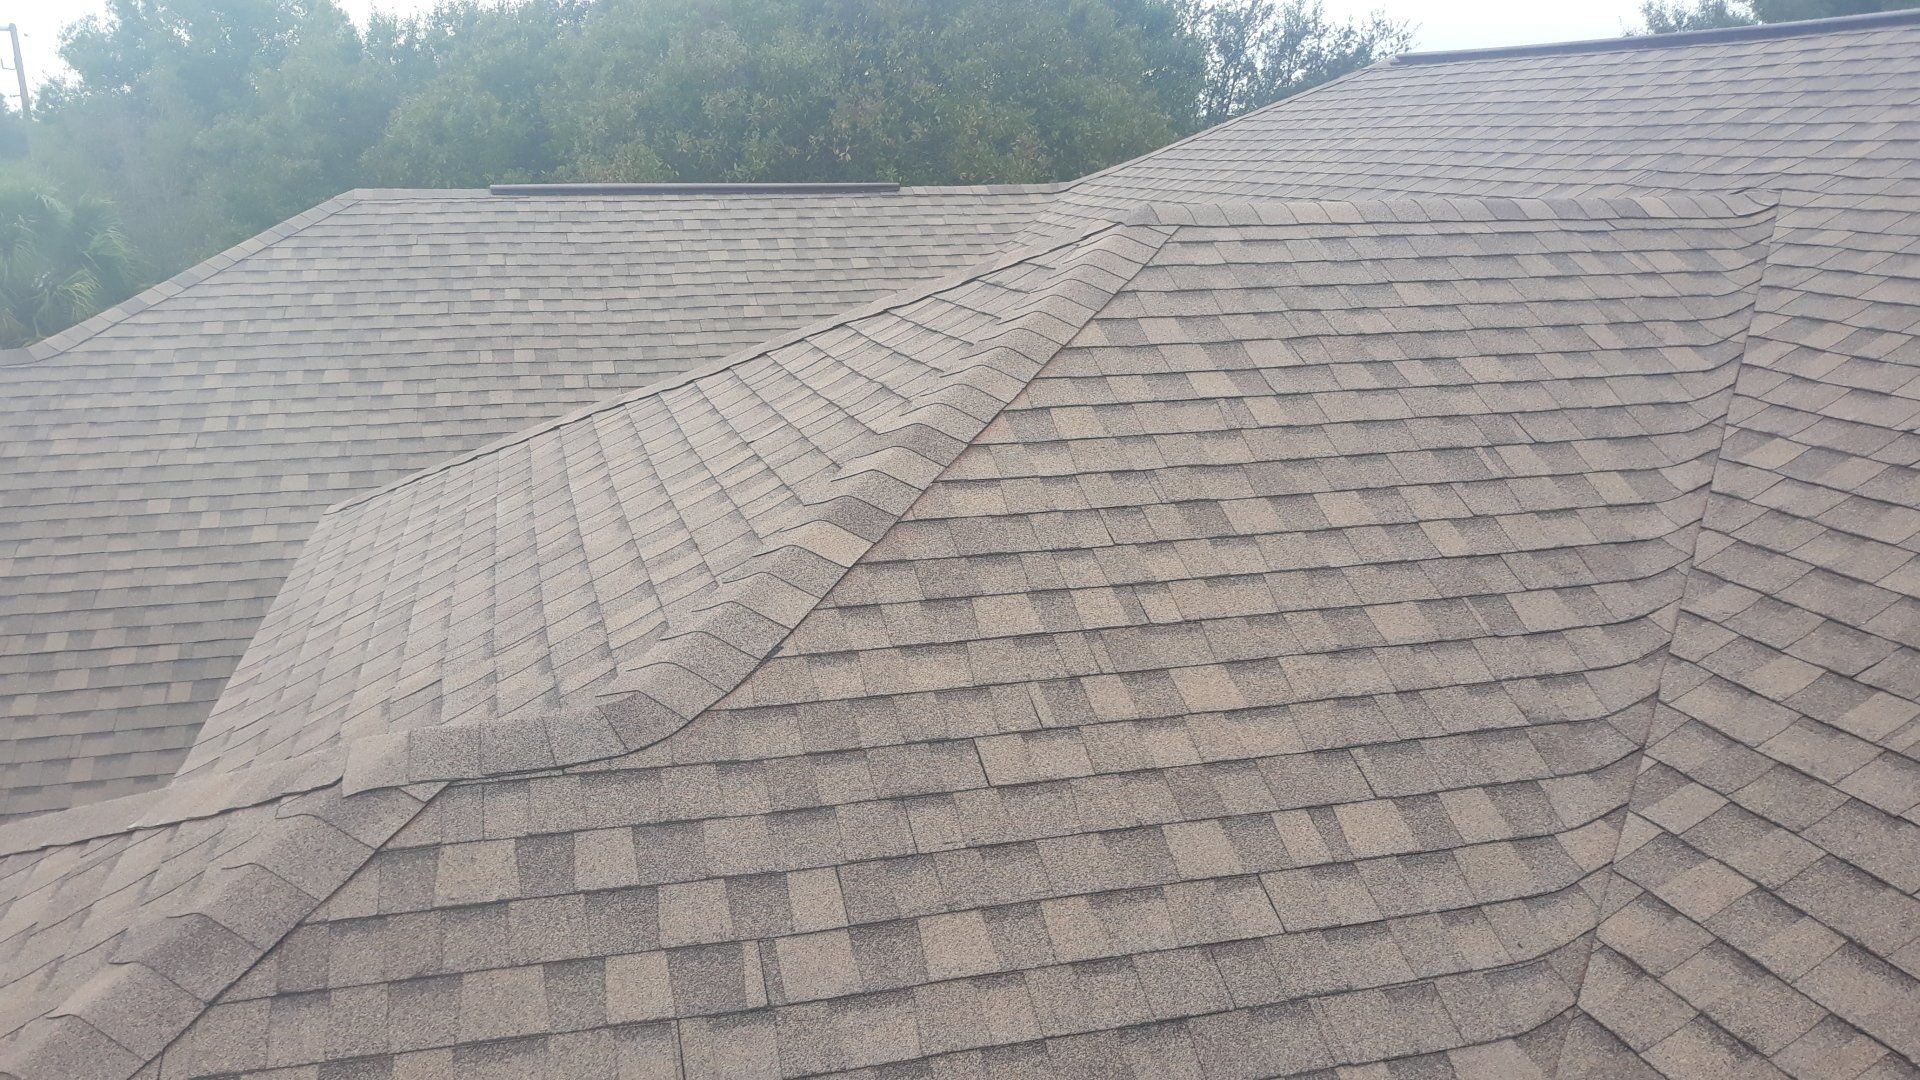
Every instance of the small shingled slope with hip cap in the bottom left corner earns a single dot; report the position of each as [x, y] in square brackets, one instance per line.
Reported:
[114, 946]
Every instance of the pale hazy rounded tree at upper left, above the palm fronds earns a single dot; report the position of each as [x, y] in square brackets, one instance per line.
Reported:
[208, 120]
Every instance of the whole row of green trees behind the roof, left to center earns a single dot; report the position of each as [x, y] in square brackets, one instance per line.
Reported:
[206, 122]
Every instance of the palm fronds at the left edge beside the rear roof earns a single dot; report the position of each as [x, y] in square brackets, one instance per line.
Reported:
[59, 262]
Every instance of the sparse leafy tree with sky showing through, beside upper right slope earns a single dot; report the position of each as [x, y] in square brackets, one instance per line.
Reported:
[1264, 51]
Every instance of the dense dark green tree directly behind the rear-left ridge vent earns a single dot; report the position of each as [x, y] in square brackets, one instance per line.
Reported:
[963, 91]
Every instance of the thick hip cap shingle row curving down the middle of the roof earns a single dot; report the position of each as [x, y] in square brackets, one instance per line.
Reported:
[698, 666]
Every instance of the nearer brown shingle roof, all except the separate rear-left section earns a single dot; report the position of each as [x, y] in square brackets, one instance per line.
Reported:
[1251, 626]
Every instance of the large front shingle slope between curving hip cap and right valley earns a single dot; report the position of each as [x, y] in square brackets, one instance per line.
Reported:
[1276, 662]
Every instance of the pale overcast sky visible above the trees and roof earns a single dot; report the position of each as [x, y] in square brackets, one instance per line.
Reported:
[1443, 24]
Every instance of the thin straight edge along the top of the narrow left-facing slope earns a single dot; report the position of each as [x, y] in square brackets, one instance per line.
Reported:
[736, 358]
